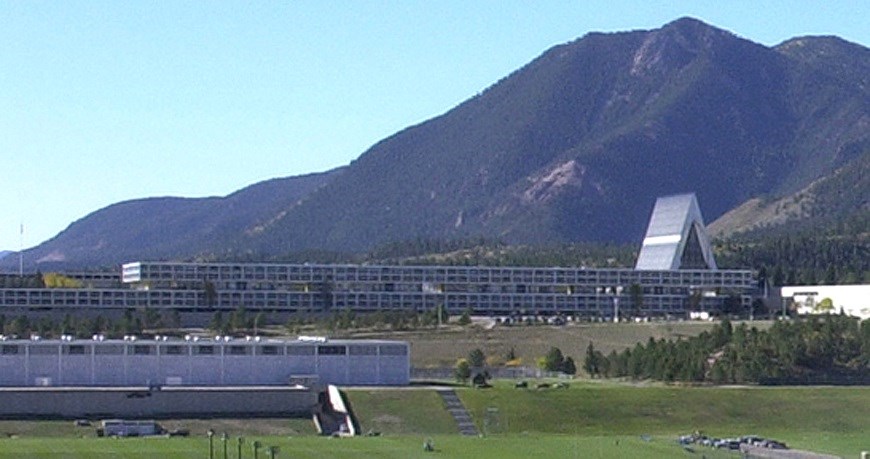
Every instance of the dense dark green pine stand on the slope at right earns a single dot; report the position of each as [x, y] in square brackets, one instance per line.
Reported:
[831, 347]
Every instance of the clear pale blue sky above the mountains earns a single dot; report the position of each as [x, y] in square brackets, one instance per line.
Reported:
[106, 101]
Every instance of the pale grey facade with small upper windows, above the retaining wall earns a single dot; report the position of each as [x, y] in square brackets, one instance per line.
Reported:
[201, 362]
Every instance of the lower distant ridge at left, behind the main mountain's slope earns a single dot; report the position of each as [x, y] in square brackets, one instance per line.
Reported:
[168, 228]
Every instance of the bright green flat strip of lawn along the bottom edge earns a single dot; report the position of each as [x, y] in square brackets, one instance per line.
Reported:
[403, 446]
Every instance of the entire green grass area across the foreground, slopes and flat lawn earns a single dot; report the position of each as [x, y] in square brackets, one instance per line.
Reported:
[589, 419]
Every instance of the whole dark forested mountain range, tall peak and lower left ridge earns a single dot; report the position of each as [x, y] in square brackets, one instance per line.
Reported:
[574, 146]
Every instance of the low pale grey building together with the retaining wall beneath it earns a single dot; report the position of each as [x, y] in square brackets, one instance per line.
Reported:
[159, 378]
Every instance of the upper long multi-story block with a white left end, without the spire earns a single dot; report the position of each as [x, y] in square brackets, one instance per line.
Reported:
[482, 290]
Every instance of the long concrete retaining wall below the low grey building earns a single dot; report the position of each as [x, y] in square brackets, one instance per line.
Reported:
[133, 402]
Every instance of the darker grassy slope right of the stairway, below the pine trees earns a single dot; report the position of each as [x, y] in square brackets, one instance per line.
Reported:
[824, 419]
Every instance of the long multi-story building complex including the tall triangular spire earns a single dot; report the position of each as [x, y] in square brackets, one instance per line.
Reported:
[675, 274]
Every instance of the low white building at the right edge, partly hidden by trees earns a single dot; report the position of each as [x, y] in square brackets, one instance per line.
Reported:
[853, 300]
